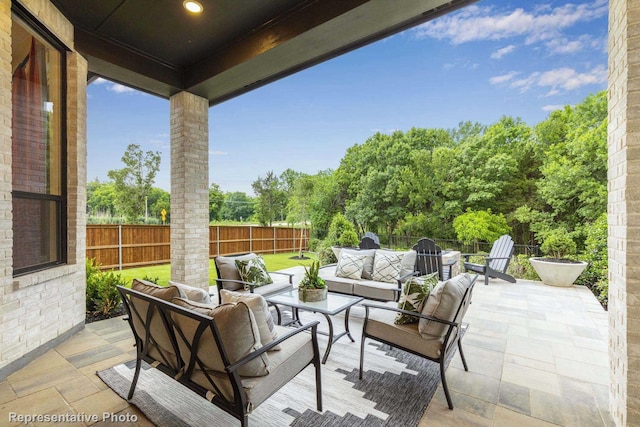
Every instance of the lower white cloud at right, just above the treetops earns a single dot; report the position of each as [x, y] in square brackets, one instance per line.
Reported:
[561, 79]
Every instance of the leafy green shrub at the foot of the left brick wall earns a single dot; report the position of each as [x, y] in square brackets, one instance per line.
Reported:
[102, 295]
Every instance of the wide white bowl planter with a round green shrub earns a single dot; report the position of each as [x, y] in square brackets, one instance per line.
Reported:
[557, 269]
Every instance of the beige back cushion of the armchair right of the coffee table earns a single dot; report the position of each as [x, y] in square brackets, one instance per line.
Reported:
[442, 303]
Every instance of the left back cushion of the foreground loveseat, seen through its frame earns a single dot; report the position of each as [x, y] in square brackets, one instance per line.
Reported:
[161, 347]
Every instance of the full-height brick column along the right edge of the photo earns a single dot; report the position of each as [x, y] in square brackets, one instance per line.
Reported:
[623, 207]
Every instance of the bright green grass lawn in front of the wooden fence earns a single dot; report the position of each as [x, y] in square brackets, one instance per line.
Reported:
[274, 262]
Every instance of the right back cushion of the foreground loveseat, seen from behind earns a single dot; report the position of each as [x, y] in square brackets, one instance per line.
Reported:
[238, 332]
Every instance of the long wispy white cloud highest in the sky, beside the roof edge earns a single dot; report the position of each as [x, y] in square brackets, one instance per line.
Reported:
[475, 23]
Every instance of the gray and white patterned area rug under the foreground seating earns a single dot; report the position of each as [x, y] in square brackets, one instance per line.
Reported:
[395, 391]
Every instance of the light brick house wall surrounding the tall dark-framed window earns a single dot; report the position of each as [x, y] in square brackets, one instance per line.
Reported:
[38, 309]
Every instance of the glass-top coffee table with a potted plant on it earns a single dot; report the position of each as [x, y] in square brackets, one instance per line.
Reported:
[334, 304]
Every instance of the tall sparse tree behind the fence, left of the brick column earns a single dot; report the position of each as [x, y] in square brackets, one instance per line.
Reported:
[133, 183]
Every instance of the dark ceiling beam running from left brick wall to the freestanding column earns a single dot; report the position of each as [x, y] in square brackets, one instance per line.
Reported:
[120, 63]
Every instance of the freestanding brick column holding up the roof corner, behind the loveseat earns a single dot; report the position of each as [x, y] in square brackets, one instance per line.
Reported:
[190, 189]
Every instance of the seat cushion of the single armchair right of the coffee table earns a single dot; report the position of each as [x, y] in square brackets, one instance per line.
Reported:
[381, 325]
